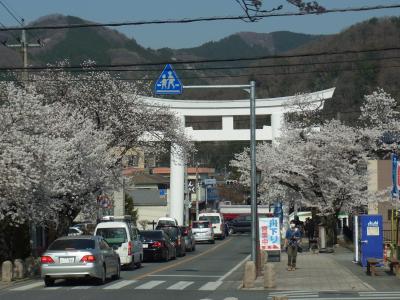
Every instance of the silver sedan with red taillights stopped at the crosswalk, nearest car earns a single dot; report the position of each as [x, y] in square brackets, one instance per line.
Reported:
[79, 257]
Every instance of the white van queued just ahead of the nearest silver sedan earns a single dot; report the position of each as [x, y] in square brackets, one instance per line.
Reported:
[123, 237]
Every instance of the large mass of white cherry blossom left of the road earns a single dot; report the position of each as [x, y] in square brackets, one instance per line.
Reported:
[62, 140]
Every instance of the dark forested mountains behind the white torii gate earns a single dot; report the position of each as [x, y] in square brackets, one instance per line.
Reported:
[362, 74]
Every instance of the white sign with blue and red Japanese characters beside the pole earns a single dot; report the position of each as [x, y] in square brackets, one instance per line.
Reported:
[269, 234]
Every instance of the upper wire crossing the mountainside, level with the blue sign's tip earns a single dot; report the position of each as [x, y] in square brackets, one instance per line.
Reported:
[203, 61]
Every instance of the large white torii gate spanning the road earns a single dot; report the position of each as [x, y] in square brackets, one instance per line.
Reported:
[226, 109]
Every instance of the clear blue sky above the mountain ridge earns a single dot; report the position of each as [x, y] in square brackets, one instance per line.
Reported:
[191, 35]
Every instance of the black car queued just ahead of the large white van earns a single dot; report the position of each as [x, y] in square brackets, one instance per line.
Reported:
[157, 245]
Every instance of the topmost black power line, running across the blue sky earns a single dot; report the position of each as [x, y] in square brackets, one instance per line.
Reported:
[203, 19]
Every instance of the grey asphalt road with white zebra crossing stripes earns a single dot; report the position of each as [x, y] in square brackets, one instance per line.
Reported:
[211, 272]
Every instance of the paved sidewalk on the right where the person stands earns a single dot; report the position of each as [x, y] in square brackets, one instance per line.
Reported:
[329, 272]
